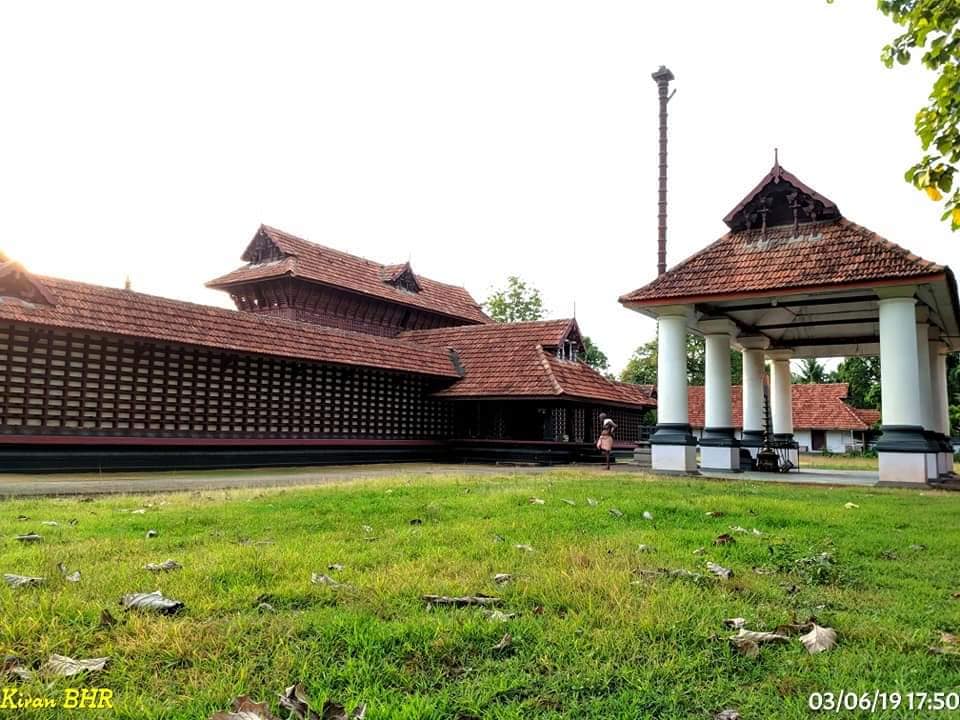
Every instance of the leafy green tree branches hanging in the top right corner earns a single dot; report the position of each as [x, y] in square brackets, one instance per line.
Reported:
[932, 27]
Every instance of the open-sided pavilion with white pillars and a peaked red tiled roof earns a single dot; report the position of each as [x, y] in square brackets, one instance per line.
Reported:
[793, 278]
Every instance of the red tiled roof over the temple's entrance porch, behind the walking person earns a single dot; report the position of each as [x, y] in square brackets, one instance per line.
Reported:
[512, 360]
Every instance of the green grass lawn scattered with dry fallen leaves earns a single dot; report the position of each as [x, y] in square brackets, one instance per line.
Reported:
[592, 637]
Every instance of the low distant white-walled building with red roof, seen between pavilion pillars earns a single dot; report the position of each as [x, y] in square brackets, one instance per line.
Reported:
[822, 419]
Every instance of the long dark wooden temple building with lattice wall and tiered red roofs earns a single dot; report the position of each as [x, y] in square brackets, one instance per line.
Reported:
[327, 358]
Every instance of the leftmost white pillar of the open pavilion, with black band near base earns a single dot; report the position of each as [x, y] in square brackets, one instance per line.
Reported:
[673, 448]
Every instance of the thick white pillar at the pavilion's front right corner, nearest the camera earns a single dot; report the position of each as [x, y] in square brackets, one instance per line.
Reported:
[902, 448]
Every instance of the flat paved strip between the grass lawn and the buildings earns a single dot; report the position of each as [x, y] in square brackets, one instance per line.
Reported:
[154, 482]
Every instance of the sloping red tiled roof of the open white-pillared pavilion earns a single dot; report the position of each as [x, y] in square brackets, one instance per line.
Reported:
[823, 254]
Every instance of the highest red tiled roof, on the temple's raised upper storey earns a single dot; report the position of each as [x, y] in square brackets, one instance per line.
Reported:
[317, 263]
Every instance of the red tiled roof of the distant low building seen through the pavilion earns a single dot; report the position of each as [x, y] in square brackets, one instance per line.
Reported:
[815, 406]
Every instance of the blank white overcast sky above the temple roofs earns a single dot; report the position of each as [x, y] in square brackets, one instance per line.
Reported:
[479, 139]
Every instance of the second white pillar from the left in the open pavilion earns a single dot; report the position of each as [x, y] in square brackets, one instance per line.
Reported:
[719, 448]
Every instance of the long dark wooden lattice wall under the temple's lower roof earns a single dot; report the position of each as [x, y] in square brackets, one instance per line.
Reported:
[75, 383]
